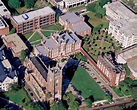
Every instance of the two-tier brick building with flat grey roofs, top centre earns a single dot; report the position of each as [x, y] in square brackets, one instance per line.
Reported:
[75, 24]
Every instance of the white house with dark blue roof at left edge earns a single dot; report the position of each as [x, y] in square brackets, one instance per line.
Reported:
[7, 76]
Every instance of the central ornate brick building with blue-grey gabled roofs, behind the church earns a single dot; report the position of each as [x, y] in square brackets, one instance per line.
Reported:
[58, 46]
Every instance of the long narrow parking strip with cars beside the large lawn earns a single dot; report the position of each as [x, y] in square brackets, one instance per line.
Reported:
[103, 83]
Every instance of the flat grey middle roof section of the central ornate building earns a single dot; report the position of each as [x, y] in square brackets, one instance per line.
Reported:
[51, 44]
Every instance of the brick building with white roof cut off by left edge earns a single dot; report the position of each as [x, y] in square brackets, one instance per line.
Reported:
[4, 27]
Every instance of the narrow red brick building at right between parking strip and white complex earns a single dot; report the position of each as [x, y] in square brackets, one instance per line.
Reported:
[112, 71]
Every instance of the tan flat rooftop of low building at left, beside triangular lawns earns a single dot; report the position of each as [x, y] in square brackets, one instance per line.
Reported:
[18, 44]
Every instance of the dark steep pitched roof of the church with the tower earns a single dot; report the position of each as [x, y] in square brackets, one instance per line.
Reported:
[40, 67]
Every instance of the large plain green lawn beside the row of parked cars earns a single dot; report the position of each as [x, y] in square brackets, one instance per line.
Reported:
[83, 82]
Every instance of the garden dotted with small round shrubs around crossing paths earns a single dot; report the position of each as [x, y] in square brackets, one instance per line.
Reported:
[99, 43]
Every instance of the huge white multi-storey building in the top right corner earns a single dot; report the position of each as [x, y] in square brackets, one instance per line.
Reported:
[123, 23]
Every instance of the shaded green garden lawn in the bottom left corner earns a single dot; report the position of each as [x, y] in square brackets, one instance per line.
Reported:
[21, 98]
